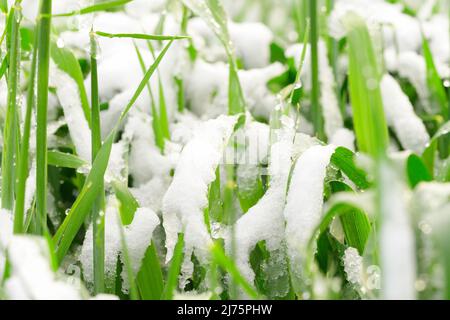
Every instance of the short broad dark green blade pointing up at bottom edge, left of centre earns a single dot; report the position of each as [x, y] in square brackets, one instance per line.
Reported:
[149, 279]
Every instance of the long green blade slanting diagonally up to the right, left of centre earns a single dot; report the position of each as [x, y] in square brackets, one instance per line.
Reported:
[94, 181]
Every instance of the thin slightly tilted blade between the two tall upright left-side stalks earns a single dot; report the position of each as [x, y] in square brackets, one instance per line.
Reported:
[22, 172]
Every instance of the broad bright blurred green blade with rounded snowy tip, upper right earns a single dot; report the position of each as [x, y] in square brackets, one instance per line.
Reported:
[364, 78]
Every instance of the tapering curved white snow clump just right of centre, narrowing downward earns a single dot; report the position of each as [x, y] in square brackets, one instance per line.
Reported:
[305, 198]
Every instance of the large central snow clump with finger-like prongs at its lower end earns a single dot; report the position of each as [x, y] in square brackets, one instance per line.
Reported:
[186, 197]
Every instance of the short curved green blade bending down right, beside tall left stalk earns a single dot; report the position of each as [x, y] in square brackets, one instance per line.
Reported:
[67, 62]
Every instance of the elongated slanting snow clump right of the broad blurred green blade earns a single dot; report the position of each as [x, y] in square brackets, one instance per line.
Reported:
[400, 115]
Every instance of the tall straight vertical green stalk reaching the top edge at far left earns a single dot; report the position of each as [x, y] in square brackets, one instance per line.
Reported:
[44, 32]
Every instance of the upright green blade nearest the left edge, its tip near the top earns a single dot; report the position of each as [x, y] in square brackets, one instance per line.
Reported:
[10, 137]
